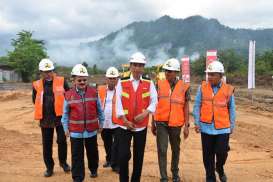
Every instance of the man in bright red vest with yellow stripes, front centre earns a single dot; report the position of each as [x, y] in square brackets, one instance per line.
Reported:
[136, 99]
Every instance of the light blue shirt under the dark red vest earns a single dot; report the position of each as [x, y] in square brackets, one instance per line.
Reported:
[84, 134]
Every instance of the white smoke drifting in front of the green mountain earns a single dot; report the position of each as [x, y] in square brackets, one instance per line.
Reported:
[110, 52]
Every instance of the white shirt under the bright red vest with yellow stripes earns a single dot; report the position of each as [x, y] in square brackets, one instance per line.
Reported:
[135, 83]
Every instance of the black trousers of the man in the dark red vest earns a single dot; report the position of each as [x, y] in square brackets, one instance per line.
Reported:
[77, 152]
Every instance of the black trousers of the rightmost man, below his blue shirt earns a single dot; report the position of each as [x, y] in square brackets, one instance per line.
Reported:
[214, 146]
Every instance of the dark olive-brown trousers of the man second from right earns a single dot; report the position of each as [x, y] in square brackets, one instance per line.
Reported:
[163, 136]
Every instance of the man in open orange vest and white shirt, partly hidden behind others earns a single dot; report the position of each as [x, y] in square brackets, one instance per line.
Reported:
[110, 130]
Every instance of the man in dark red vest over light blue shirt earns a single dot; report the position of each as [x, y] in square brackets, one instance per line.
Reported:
[81, 120]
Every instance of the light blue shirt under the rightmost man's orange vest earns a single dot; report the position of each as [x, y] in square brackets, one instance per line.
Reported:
[210, 128]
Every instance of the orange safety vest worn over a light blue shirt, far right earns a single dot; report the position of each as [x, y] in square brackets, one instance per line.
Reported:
[215, 107]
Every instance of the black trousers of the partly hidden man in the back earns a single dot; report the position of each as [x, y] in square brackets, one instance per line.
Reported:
[111, 141]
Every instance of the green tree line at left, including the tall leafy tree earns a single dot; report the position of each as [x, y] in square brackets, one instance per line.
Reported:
[26, 54]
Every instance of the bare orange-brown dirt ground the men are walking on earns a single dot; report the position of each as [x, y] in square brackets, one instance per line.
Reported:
[250, 158]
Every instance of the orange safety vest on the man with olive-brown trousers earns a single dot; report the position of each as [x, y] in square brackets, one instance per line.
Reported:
[170, 107]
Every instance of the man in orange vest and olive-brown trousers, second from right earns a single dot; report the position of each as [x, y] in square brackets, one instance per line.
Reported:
[172, 112]
